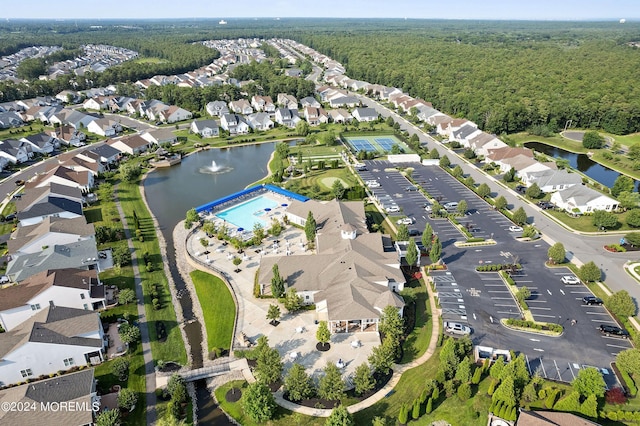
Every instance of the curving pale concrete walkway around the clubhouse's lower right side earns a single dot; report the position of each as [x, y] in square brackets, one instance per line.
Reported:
[398, 370]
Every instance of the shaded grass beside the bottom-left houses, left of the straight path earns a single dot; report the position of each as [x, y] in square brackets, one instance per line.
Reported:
[135, 382]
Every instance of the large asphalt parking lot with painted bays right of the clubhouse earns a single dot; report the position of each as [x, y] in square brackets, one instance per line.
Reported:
[482, 299]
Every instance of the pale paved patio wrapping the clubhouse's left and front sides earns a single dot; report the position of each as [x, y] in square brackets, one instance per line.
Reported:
[295, 335]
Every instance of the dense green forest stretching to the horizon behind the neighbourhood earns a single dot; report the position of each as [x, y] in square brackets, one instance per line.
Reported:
[505, 76]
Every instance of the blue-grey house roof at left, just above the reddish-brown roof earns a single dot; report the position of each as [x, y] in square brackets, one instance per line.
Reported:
[74, 255]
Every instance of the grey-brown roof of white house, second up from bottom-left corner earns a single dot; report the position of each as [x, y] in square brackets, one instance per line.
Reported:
[54, 325]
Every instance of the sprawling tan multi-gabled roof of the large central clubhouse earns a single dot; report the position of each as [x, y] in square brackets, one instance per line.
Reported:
[350, 274]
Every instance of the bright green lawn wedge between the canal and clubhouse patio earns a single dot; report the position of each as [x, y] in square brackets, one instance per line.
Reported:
[218, 309]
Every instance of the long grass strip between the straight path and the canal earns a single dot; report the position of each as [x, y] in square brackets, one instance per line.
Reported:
[172, 349]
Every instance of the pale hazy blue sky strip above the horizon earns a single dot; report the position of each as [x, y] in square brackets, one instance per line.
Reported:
[423, 9]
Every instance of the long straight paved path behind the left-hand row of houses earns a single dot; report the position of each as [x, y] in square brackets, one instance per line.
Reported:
[149, 367]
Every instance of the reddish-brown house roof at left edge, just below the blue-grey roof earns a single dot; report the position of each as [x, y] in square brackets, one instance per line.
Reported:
[20, 294]
